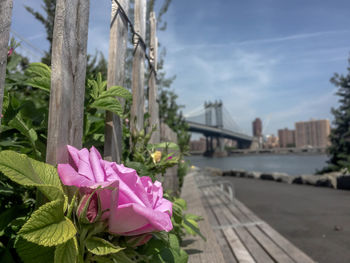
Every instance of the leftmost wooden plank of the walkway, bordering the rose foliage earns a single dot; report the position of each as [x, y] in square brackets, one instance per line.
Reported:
[199, 250]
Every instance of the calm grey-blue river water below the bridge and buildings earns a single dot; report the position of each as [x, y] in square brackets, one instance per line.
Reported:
[292, 164]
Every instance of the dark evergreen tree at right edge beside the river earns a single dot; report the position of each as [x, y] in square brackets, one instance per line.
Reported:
[339, 150]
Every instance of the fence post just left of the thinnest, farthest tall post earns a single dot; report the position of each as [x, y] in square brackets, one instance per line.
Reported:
[138, 67]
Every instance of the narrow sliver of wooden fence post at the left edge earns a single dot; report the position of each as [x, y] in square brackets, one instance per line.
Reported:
[5, 24]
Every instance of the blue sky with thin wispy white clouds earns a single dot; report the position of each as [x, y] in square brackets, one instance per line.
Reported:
[271, 59]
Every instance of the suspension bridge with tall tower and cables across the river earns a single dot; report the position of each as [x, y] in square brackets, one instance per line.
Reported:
[215, 123]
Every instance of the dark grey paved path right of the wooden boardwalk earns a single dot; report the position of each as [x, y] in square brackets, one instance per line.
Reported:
[315, 219]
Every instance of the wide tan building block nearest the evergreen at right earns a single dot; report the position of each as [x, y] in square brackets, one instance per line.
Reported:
[312, 133]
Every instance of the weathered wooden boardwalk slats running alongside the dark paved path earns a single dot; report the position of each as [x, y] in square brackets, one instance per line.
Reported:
[241, 235]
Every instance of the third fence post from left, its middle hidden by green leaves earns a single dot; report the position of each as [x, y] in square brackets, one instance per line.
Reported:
[118, 37]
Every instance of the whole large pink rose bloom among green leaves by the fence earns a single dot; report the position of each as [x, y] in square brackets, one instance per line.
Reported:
[140, 207]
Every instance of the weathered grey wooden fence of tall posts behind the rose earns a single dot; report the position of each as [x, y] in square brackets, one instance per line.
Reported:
[69, 58]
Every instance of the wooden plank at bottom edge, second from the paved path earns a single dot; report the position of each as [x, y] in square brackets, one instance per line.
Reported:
[273, 249]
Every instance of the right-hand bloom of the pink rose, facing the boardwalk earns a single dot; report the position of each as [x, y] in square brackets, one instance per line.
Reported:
[141, 206]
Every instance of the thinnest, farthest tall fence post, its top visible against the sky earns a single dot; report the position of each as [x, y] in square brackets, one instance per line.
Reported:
[153, 91]
